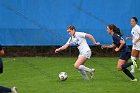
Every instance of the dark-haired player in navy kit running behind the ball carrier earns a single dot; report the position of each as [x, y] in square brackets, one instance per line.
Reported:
[120, 46]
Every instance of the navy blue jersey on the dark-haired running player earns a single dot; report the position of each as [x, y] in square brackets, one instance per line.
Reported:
[116, 40]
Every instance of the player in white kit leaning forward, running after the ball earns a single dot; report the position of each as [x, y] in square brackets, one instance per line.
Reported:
[79, 39]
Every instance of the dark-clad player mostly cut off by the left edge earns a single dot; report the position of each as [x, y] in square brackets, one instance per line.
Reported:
[5, 89]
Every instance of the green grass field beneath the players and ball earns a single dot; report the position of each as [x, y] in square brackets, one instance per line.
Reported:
[40, 75]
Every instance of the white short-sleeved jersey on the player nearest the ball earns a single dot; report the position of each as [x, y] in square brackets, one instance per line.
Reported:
[79, 40]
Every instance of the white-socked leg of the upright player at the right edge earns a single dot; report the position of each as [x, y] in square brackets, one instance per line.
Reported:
[134, 54]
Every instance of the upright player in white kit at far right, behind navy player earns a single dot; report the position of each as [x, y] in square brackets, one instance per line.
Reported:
[136, 41]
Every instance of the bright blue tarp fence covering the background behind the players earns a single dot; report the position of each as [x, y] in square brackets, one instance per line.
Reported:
[44, 22]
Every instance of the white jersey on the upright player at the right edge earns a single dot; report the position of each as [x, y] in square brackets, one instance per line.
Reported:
[135, 34]
